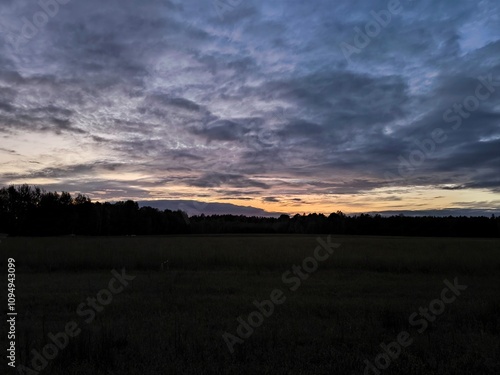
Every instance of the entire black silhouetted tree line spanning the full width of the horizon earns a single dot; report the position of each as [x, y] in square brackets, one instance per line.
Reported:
[30, 211]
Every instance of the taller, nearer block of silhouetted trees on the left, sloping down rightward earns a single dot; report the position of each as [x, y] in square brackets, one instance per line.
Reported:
[30, 211]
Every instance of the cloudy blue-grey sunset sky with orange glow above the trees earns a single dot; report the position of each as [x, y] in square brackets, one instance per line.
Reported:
[274, 106]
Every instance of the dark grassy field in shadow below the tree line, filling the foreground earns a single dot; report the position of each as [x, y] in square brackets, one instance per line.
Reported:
[172, 321]
